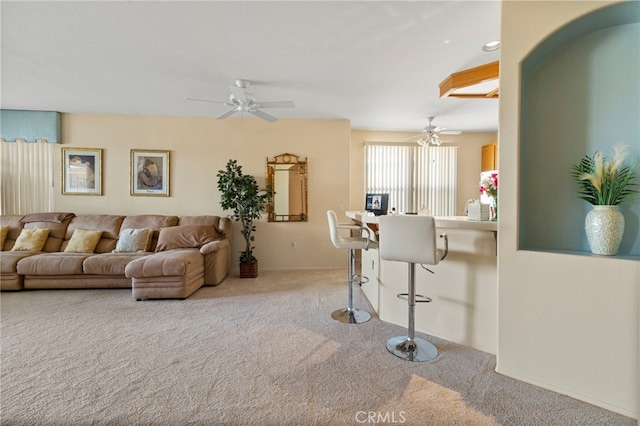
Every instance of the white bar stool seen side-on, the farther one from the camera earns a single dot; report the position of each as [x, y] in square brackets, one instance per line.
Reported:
[350, 315]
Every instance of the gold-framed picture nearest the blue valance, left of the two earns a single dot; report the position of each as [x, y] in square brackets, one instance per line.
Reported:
[81, 171]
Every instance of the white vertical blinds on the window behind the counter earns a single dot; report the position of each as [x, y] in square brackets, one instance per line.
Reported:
[414, 177]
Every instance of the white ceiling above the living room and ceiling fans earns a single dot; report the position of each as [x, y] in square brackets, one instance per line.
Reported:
[375, 63]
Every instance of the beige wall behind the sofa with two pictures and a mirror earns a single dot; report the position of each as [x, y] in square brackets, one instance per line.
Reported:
[200, 146]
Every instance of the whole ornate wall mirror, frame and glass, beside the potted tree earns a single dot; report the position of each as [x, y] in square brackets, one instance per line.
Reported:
[287, 176]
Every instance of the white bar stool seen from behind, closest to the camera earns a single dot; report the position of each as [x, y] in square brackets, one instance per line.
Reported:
[411, 239]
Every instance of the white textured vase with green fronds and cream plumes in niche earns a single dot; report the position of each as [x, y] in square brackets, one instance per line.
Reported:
[605, 184]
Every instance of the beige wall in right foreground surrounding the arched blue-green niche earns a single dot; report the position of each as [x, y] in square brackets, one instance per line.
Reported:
[566, 322]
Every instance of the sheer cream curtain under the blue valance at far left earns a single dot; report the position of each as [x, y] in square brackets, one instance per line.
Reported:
[27, 177]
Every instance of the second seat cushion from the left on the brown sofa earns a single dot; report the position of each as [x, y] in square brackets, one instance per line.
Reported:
[53, 264]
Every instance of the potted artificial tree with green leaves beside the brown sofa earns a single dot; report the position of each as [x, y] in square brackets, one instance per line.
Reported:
[241, 194]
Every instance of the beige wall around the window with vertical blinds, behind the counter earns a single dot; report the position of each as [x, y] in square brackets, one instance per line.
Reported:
[469, 157]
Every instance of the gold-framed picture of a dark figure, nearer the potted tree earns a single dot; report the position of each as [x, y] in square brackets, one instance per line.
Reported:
[149, 172]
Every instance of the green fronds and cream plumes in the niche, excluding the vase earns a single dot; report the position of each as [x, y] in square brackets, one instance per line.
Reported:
[603, 182]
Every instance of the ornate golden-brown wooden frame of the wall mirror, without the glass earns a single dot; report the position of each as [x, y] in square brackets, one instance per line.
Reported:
[293, 161]
